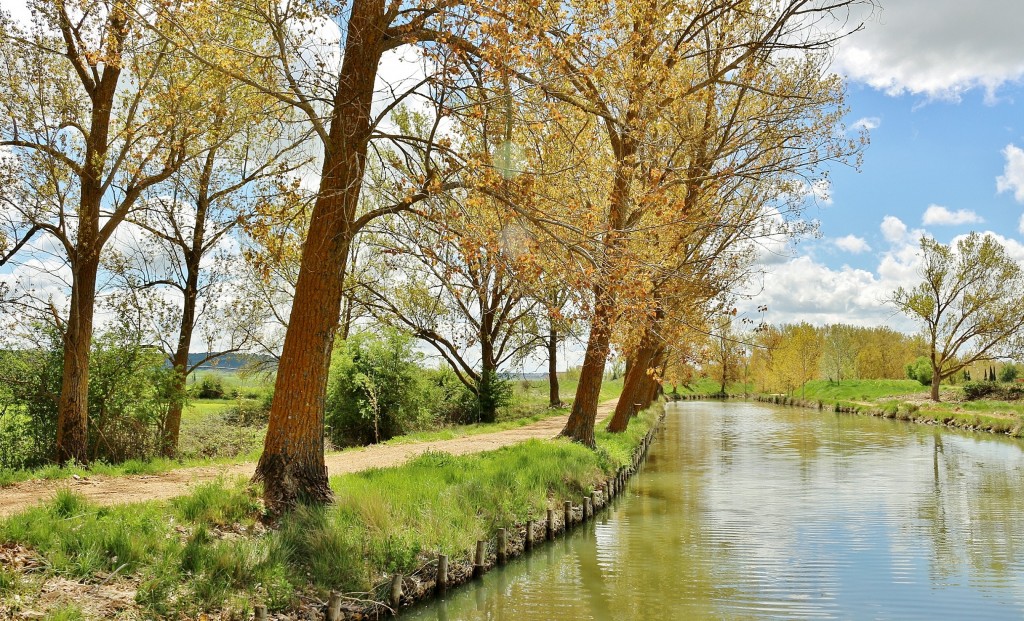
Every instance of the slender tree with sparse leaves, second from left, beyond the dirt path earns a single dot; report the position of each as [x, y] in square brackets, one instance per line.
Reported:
[184, 267]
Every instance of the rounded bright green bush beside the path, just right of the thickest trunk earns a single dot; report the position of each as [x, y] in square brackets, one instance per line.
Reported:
[376, 390]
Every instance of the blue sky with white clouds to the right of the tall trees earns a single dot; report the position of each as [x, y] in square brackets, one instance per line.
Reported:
[938, 85]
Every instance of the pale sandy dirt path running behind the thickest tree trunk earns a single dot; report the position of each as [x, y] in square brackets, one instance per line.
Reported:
[121, 490]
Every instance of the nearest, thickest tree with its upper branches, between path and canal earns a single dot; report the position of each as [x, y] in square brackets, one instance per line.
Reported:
[337, 102]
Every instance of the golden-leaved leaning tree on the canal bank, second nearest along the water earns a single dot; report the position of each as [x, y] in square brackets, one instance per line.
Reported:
[631, 69]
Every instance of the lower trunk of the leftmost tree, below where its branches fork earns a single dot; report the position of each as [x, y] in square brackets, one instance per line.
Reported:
[73, 405]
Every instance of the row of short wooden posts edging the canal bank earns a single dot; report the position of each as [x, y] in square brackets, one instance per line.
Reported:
[599, 499]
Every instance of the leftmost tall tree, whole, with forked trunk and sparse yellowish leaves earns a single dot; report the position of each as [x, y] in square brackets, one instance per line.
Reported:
[94, 120]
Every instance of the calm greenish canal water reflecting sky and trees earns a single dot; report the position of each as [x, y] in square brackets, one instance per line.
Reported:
[754, 512]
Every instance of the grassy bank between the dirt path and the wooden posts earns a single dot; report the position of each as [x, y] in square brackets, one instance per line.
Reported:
[208, 556]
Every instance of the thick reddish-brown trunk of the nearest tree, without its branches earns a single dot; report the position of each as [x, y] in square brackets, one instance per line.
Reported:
[292, 468]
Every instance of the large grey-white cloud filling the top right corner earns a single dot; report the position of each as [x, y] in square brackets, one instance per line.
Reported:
[940, 49]
